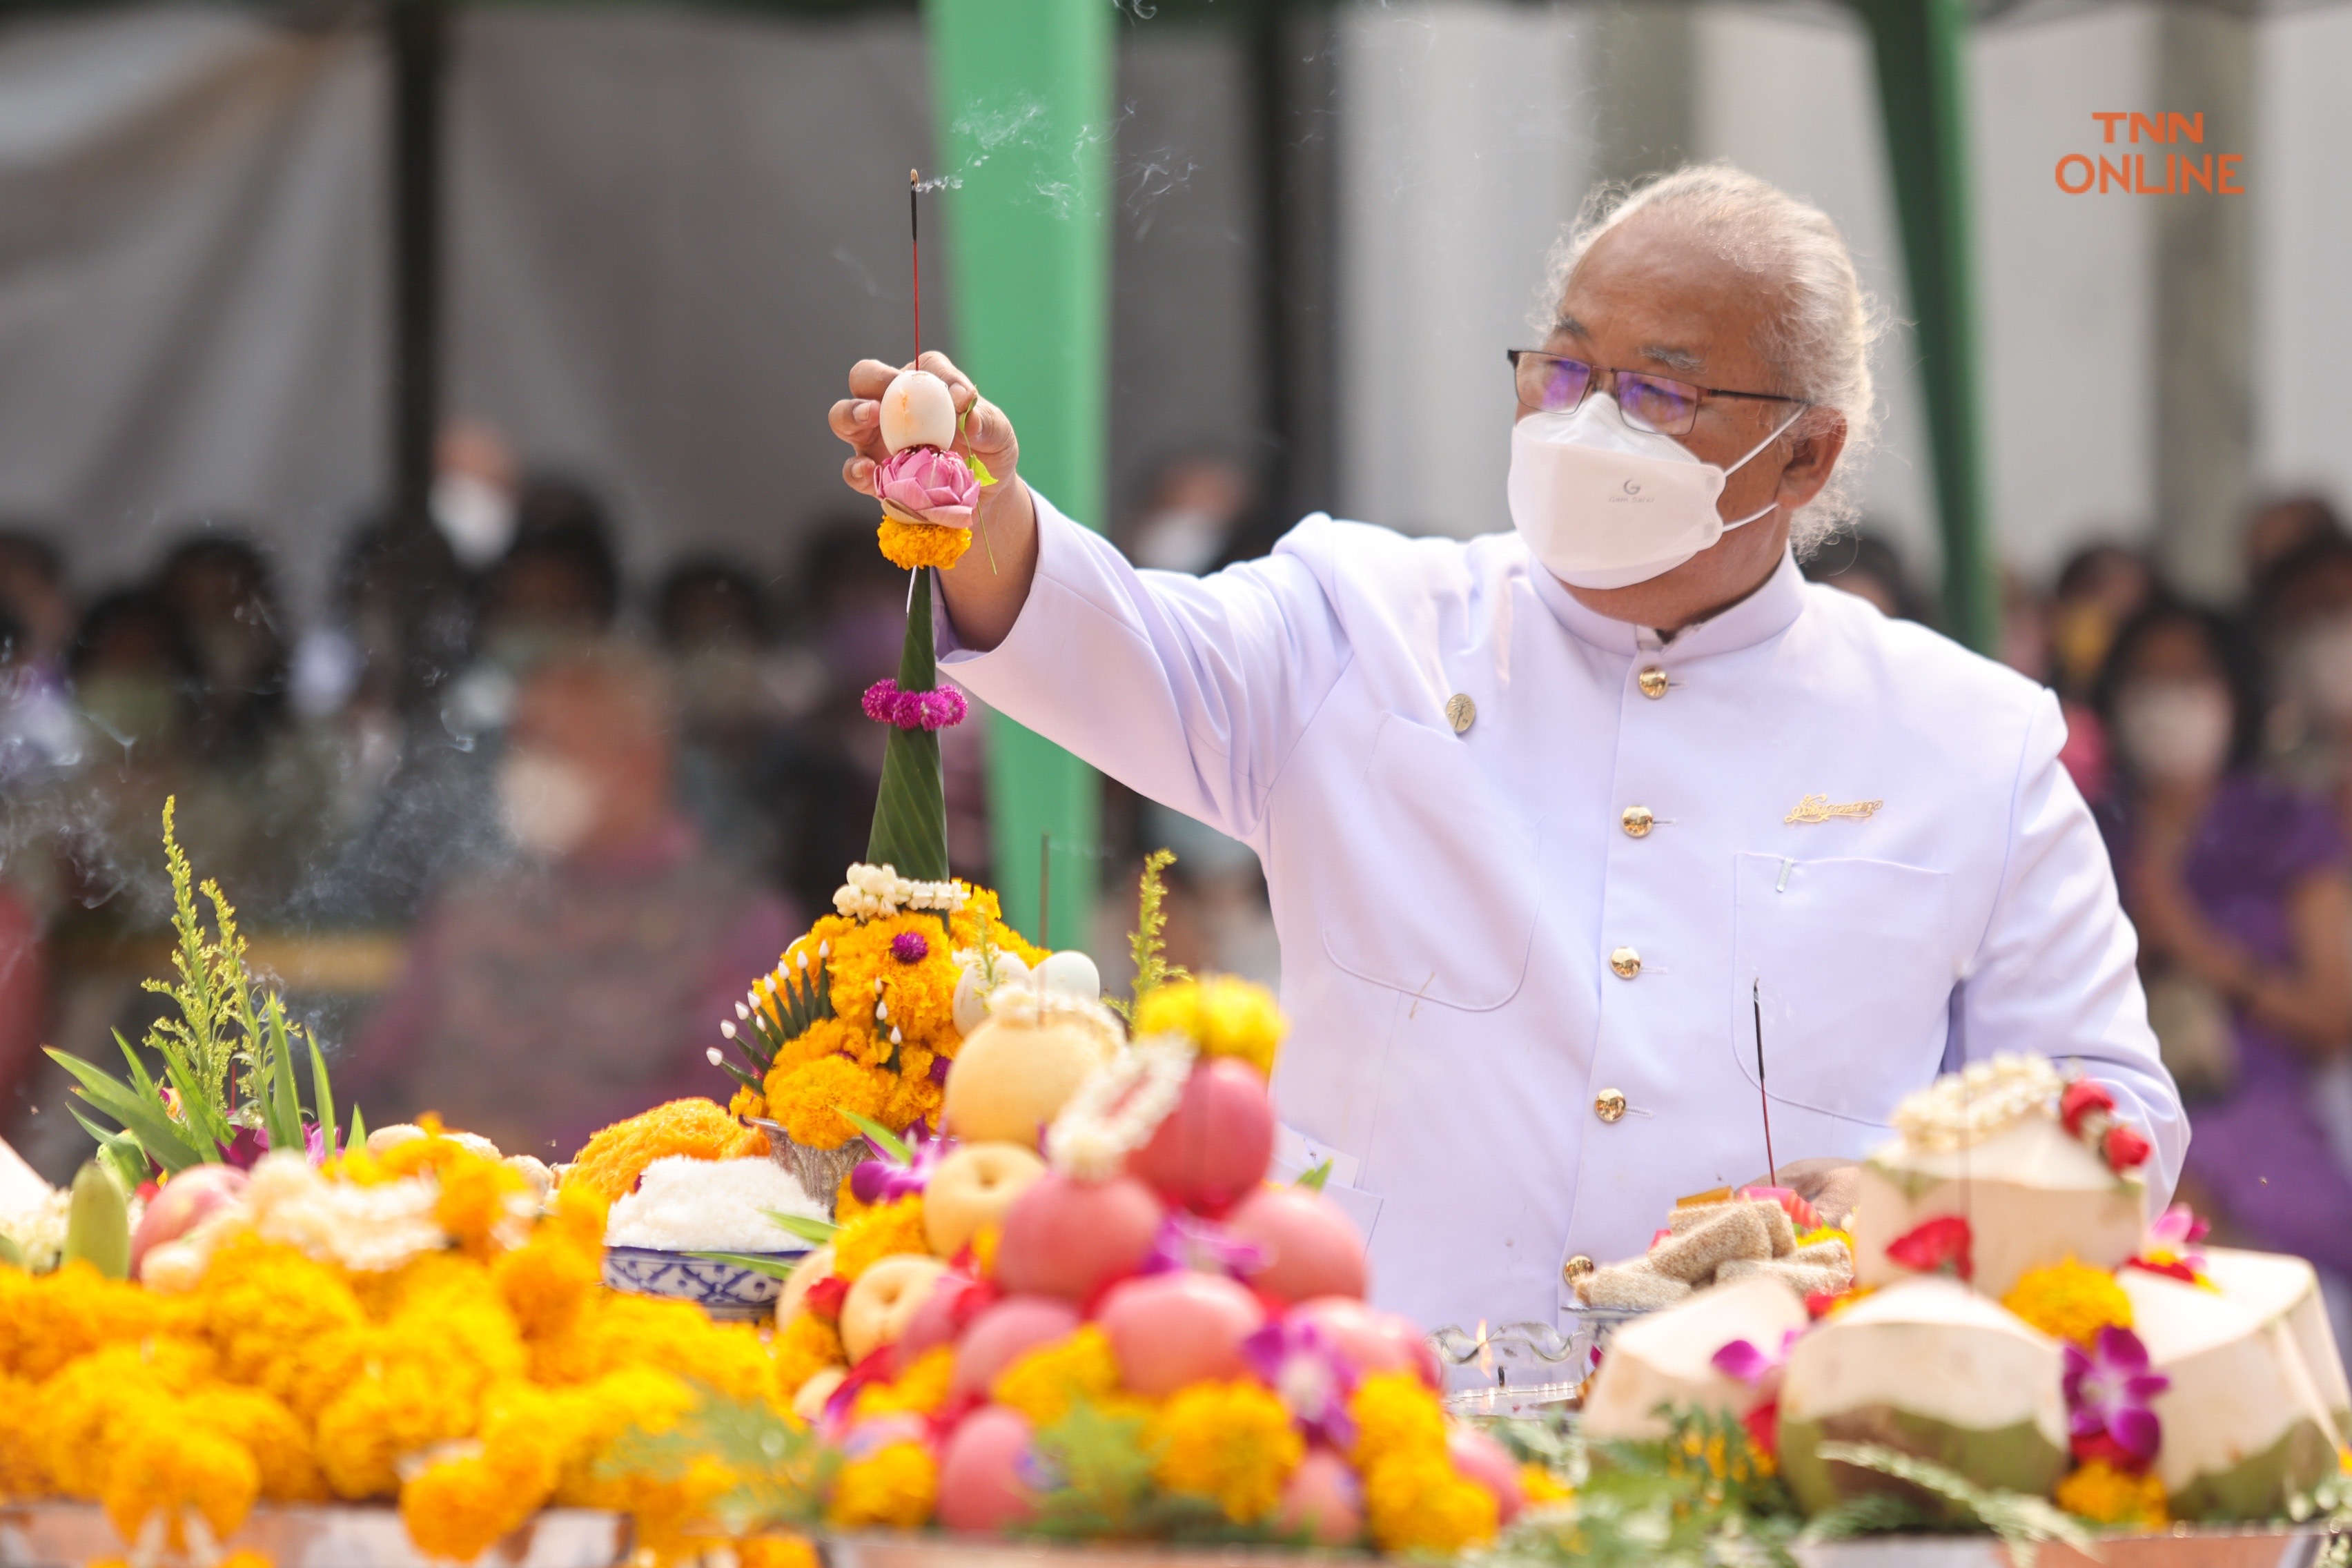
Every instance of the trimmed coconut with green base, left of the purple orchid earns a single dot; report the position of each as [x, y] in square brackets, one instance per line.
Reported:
[1927, 1369]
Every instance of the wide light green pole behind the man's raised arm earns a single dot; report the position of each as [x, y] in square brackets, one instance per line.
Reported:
[1024, 98]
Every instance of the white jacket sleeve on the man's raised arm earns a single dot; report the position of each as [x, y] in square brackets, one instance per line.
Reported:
[1187, 690]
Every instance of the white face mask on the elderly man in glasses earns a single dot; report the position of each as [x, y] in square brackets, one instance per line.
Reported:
[1605, 504]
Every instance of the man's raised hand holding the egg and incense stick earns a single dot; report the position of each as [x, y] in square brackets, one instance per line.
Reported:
[989, 587]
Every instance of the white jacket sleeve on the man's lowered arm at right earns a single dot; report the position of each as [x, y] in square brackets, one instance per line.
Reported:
[2059, 965]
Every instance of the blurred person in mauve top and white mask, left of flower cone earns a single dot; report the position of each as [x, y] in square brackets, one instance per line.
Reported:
[582, 979]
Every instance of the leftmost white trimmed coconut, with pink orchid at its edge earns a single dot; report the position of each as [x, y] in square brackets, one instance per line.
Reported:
[1669, 1358]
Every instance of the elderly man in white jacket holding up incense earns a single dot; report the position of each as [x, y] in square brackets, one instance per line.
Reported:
[1556, 819]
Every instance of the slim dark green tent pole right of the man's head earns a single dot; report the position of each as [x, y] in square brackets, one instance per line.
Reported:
[1923, 95]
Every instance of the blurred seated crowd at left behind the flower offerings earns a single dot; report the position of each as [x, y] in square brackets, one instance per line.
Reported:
[509, 826]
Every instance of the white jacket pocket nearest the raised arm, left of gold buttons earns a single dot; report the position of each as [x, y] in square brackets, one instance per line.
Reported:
[1457, 916]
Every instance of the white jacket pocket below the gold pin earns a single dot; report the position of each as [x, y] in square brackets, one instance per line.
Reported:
[1852, 965]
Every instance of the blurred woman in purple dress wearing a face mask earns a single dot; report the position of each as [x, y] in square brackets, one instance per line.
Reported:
[2245, 913]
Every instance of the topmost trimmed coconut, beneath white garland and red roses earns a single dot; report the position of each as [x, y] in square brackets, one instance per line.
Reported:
[2031, 1193]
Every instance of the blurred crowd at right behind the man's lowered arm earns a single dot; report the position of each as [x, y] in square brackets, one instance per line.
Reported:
[2214, 744]
